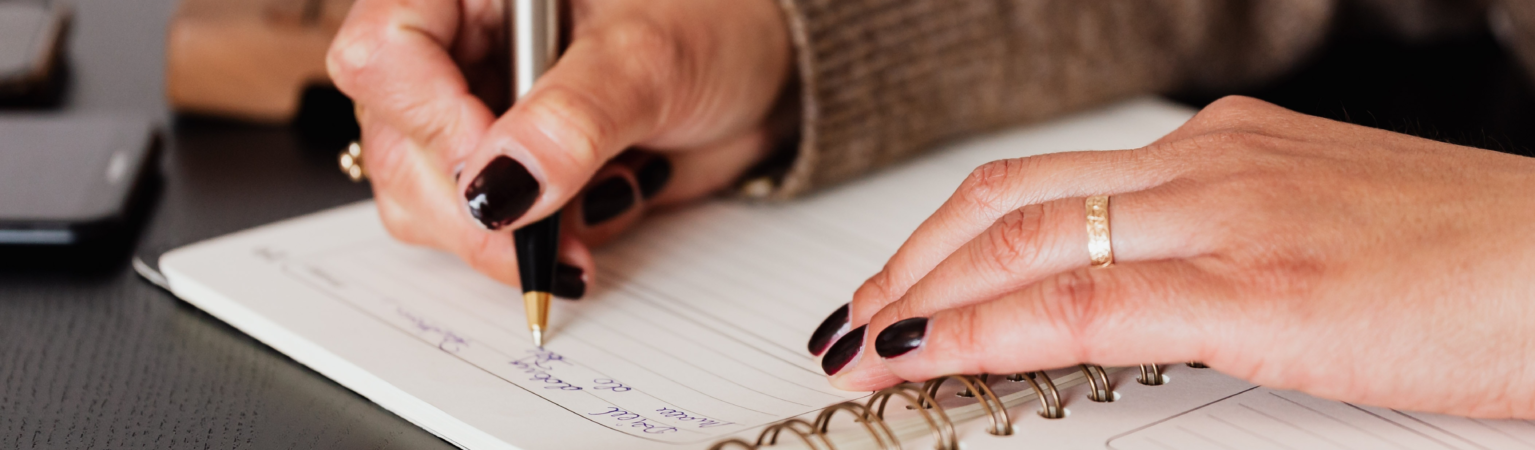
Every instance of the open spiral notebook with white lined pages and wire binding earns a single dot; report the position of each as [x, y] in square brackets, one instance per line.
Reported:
[695, 334]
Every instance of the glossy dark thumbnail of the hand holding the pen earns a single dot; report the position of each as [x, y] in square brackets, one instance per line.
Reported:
[503, 193]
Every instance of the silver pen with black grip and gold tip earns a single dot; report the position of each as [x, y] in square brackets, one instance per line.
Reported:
[535, 47]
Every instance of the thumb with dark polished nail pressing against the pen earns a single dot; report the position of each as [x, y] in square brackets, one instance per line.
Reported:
[602, 98]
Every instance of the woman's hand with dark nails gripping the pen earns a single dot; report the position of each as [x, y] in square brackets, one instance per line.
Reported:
[692, 82]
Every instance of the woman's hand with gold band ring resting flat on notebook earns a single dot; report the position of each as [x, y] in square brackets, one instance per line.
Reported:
[1284, 250]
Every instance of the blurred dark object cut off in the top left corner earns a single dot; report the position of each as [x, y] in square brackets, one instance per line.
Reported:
[31, 36]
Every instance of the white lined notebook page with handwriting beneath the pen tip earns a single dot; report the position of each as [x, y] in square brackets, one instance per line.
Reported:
[695, 333]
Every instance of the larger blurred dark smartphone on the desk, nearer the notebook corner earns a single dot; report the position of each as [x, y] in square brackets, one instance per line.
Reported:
[73, 180]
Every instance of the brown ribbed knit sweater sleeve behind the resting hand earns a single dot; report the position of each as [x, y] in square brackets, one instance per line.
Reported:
[882, 81]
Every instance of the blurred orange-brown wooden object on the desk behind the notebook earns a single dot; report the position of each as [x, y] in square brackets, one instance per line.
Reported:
[249, 59]
